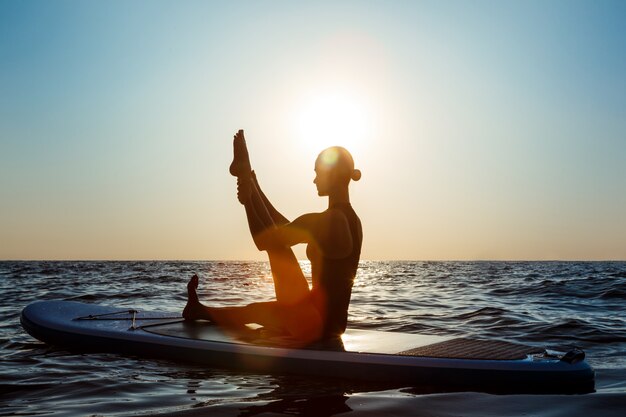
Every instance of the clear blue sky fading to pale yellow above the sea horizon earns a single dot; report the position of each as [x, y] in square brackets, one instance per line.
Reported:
[485, 130]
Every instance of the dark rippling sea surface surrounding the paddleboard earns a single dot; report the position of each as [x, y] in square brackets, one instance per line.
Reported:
[553, 304]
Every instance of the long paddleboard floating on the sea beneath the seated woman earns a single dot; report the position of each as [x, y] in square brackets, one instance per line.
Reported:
[407, 358]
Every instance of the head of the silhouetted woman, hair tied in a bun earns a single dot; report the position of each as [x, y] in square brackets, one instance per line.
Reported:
[334, 168]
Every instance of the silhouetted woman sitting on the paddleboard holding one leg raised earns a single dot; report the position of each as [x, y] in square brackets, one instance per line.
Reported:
[334, 246]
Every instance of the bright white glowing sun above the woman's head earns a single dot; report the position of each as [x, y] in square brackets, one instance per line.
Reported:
[333, 118]
